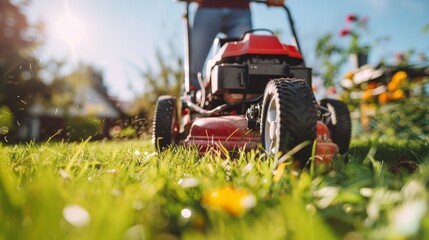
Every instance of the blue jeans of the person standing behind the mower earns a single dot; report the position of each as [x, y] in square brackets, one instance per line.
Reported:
[208, 22]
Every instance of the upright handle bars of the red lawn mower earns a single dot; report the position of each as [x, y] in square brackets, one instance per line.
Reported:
[187, 57]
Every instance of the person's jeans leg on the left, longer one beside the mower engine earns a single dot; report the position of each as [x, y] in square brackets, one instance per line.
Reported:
[206, 26]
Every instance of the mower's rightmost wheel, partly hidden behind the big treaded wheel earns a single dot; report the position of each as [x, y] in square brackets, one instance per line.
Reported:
[339, 123]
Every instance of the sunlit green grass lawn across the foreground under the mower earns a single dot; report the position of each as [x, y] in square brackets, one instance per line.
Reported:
[124, 190]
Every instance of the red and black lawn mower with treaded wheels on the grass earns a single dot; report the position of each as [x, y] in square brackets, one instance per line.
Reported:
[256, 95]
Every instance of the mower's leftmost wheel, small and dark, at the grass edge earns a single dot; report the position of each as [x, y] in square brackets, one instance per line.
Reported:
[165, 122]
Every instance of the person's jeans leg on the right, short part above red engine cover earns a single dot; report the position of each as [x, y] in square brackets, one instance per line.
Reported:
[236, 22]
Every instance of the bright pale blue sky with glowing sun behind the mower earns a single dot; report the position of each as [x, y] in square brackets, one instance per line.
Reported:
[121, 37]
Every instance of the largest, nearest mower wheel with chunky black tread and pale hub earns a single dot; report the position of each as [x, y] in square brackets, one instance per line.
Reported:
[288, 118]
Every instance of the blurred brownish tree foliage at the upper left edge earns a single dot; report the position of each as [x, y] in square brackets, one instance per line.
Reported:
[19, 81]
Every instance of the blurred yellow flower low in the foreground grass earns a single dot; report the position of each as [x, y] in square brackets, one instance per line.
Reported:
[229, 199]
